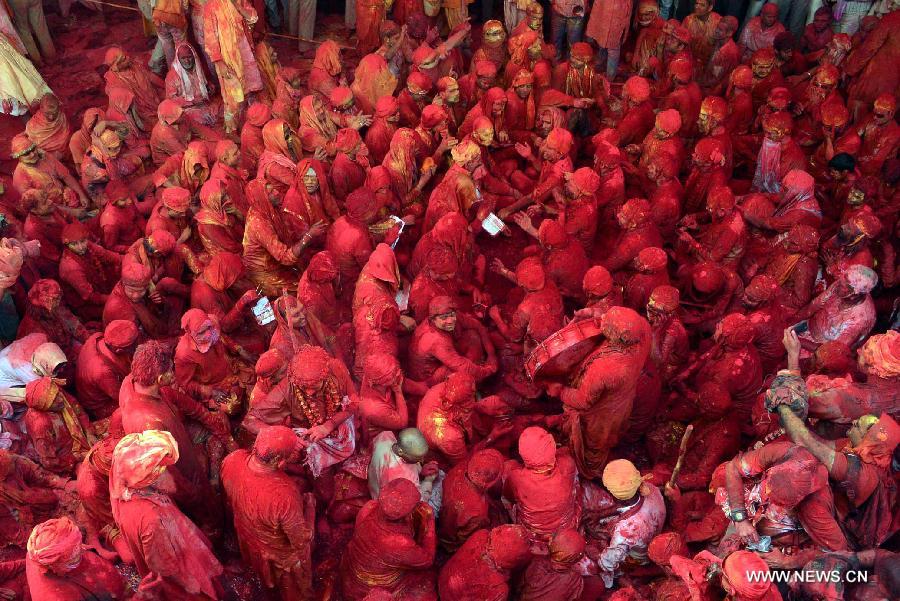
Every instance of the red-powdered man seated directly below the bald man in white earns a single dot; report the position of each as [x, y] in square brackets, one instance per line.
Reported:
[393, 546]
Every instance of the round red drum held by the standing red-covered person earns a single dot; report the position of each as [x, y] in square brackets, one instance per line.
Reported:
[563, 350]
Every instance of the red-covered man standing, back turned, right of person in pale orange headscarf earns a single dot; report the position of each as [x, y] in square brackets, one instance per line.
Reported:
[273, 518]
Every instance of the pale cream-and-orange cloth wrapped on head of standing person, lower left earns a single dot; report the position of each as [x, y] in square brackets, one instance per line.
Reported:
[139, 459]
